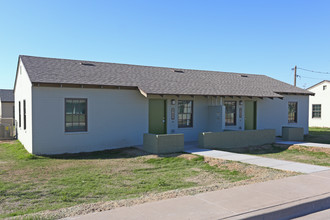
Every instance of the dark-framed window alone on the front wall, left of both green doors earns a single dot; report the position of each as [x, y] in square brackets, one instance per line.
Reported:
[75, 115]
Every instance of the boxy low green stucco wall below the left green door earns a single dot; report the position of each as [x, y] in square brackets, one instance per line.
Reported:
[163, 143]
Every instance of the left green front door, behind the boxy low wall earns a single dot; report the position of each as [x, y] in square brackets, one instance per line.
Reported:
[157, 116]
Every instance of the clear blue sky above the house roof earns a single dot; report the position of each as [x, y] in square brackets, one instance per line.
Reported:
[261, 37]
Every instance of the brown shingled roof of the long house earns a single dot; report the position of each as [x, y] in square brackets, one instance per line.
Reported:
[155, 80]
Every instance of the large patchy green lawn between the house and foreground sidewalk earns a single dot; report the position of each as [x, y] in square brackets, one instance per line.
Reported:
[30, 184]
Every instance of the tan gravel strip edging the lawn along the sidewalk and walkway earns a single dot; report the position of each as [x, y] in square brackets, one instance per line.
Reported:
[259, 175]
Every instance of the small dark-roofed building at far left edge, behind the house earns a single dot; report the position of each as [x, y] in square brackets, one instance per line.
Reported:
[6, 106]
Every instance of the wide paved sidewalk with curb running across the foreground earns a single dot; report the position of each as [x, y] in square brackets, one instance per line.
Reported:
[278, 199]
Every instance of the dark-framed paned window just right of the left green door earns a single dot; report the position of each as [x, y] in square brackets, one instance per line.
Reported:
[185, 113]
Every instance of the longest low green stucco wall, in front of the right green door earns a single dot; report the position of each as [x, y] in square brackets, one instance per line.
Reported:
[236, 139]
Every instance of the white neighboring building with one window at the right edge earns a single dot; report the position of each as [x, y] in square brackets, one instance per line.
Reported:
[319, 105]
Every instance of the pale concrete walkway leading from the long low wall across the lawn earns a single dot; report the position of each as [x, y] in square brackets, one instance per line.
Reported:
[250, 159]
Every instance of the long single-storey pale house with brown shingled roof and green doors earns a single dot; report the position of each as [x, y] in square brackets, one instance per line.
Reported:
[74, 106]
